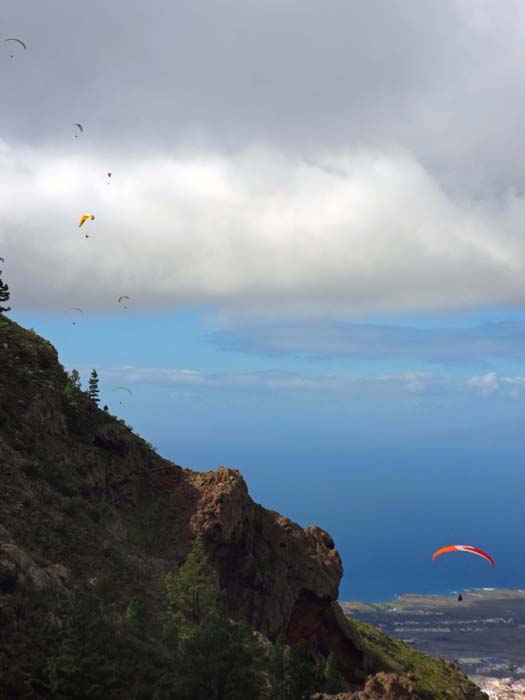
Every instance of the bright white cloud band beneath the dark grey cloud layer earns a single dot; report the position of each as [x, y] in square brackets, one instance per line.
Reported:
[350, 233]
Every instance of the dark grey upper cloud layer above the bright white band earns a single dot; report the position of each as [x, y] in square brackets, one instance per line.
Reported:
[442, 79]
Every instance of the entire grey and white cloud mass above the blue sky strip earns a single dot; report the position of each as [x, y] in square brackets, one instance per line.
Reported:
[337, 157]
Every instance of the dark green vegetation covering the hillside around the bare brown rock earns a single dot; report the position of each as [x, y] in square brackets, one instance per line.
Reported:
[83, 495]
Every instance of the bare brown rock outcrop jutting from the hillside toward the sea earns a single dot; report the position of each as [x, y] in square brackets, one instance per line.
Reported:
[276, 574]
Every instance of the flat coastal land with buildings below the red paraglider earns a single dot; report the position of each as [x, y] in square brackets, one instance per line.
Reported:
[484, 634]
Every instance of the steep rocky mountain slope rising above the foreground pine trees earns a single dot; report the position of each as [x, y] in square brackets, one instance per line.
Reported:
[82, 498]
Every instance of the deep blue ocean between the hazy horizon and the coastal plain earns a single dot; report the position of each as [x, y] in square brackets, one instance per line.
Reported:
[389, 508]
